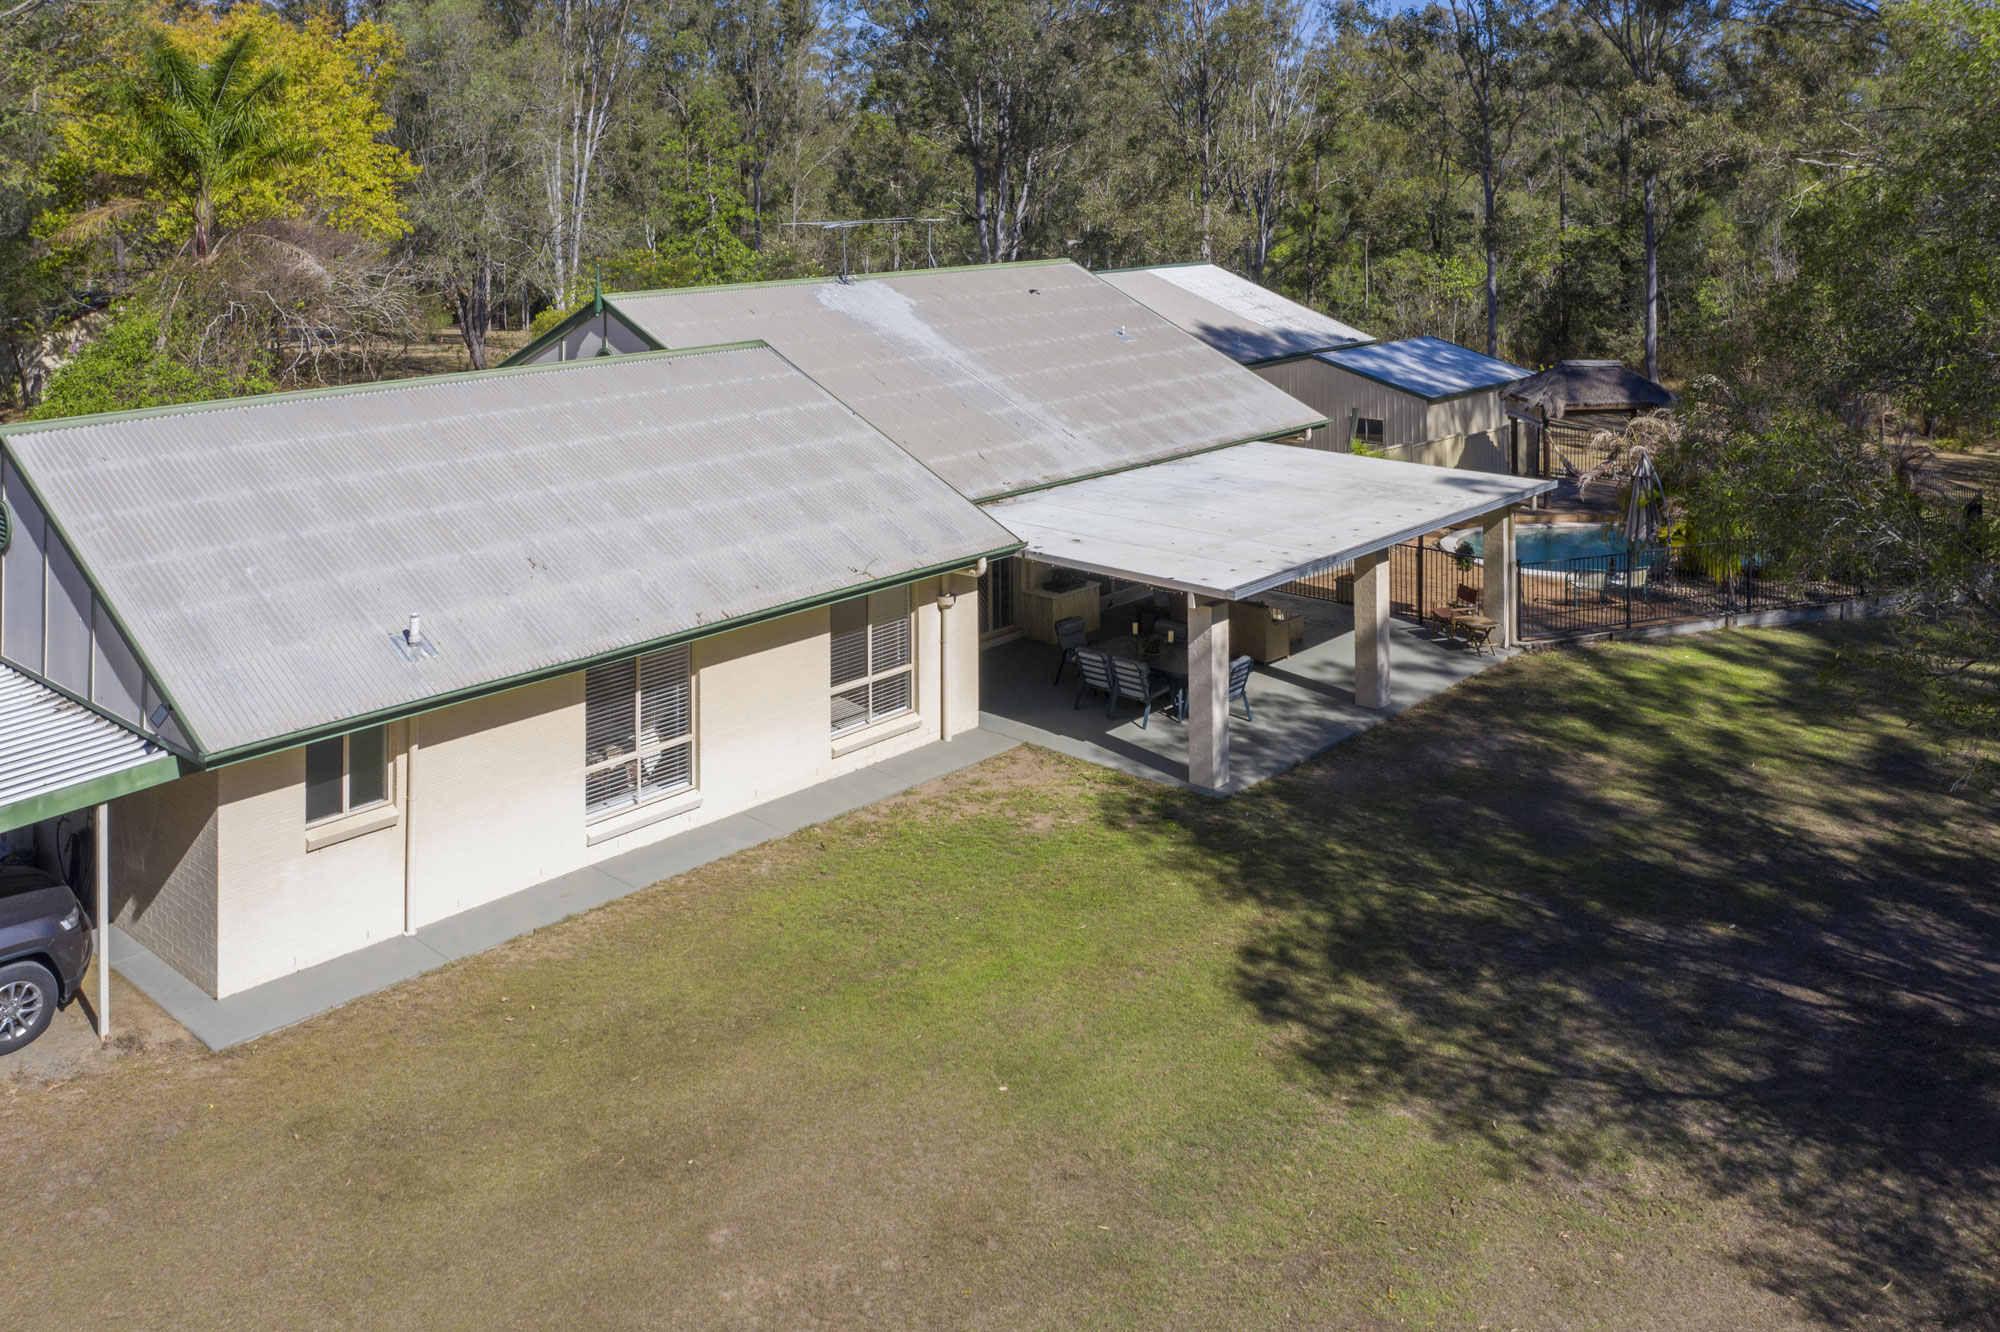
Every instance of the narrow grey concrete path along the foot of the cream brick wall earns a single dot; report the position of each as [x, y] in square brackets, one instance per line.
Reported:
[293, 999]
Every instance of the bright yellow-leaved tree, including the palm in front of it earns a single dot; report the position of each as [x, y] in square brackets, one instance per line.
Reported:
[237, 119]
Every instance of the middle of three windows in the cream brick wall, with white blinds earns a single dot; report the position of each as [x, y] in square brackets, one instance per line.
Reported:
[639, 731]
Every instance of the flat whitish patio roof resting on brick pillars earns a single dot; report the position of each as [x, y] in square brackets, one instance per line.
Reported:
[1241, 521]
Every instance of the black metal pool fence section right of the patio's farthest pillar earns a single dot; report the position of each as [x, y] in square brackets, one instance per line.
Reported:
[1657, 585]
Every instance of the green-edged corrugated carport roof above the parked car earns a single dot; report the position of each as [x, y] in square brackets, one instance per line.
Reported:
[59, 755]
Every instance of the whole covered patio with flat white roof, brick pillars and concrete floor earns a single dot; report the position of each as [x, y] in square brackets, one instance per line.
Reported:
[1233, 525]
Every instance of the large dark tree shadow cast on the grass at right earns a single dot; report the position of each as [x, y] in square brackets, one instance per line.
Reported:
[1659, 903]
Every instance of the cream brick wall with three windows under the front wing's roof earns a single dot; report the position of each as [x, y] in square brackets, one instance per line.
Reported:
[215, 875]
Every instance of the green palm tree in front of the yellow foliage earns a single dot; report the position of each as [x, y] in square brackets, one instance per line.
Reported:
[209, 131]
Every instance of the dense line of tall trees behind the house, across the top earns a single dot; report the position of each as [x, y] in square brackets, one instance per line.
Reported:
[1799, 191]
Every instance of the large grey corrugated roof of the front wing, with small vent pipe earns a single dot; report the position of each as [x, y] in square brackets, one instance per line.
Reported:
[265, 553]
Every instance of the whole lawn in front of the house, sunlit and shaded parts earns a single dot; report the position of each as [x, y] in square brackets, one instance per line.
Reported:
[1645, 987]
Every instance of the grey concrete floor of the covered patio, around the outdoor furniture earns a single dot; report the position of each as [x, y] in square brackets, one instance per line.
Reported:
[1301, 705]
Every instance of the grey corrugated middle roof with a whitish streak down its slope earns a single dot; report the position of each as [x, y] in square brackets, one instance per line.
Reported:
[999, 379]
